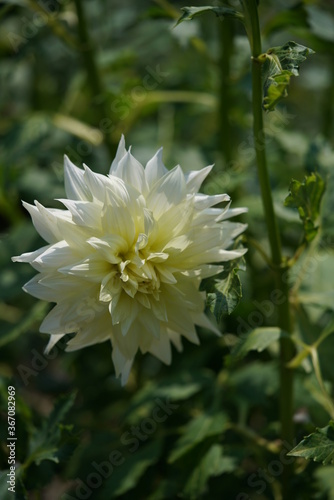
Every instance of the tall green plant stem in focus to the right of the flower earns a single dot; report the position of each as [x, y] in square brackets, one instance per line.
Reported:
[284, 318]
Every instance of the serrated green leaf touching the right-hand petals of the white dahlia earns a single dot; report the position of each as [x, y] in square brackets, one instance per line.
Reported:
[226, 296]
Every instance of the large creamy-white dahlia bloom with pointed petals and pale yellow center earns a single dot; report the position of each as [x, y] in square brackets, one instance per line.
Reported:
[125, 259]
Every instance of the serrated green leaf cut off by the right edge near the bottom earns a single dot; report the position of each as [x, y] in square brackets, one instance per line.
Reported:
[318, 446]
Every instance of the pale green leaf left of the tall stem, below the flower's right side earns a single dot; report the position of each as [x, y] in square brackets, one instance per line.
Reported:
[258, 340]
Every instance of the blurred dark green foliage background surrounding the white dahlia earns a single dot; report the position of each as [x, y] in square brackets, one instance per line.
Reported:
[187, 88]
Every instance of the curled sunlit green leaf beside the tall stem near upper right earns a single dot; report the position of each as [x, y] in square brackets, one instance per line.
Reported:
[279, 64]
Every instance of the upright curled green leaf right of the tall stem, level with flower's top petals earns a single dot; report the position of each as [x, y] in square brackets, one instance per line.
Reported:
[306, 196]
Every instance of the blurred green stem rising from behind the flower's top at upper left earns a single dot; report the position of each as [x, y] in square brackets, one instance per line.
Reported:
[93, 75]
